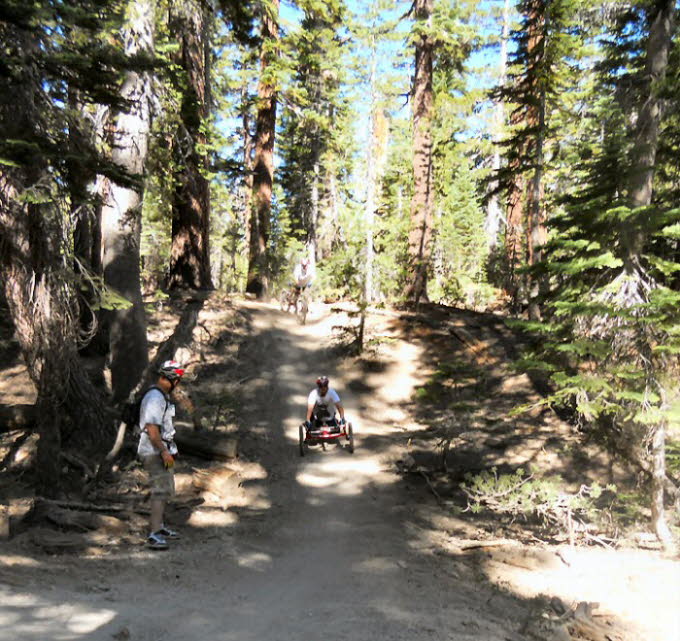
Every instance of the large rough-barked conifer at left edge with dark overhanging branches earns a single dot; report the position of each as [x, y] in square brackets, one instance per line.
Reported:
[51, 50]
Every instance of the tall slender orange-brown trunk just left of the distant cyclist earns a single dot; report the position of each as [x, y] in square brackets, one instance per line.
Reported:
[263, 165]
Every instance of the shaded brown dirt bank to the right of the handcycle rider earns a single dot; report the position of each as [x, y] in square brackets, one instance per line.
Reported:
[469, 400]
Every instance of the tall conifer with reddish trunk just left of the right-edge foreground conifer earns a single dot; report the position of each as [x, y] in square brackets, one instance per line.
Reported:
[540, 75]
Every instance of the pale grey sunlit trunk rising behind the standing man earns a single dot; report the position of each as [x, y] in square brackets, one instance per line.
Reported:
[122, 210]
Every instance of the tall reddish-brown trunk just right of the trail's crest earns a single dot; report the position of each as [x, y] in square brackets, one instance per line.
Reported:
[420, 233]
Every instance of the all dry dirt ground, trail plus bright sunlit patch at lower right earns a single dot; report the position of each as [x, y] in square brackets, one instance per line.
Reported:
[333, 545]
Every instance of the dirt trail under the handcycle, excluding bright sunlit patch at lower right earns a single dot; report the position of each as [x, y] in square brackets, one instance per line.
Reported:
[330, 546]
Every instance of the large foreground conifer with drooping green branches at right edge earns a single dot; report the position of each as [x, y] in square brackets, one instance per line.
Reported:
[612, 342]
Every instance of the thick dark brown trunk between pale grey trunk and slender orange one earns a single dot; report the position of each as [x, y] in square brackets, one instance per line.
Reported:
[190, 254]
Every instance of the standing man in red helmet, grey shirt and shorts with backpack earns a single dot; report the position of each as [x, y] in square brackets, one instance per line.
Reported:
[157, 449]
